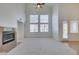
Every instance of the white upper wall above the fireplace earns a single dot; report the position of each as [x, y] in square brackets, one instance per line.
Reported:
[9, 13]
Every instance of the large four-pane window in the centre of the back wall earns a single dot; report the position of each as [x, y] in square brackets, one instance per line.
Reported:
[38, 23]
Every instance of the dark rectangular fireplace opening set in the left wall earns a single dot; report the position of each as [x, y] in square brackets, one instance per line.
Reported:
[8, 36]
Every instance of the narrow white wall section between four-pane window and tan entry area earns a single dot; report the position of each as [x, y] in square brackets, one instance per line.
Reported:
[55, 22]
